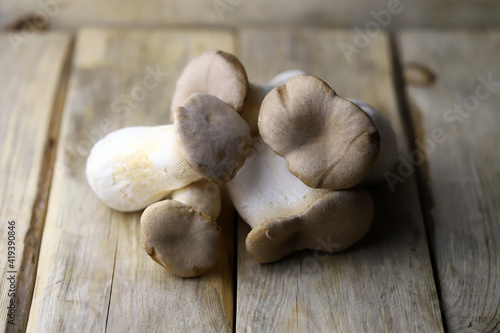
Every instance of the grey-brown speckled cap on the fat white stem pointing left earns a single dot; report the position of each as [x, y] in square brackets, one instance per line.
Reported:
[213, 138]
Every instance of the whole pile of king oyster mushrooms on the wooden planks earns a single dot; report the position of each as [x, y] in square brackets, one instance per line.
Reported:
[292, 154]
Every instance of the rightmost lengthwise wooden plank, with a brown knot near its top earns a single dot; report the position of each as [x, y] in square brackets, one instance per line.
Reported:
[461, 175]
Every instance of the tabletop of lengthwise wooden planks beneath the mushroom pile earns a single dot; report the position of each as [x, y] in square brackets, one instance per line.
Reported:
[431, 261]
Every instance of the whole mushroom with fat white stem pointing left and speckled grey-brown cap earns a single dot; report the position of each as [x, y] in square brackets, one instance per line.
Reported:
[131, 168]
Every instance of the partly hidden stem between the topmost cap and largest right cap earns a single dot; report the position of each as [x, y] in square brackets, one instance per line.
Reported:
[256, 94]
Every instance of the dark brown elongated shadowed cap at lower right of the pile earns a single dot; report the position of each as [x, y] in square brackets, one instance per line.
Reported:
[332, 223]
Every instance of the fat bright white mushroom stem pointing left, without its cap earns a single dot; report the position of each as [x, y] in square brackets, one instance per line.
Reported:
[133, 167]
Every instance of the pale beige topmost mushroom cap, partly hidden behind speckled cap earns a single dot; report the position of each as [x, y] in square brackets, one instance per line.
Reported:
[214, 72]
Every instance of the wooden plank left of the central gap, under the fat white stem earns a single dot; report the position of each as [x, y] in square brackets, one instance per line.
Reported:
[94, 274]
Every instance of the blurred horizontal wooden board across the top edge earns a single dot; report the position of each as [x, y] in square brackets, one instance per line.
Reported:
[66, 14]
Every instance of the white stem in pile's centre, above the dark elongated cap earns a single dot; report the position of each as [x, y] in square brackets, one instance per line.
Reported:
[264, 189]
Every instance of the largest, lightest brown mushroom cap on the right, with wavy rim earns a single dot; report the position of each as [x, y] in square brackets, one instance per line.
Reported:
[327, 141]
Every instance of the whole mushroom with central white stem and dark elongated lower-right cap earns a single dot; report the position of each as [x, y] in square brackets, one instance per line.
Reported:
[286, 215]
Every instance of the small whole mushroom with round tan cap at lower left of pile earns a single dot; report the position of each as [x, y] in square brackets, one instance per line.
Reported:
[181, 234]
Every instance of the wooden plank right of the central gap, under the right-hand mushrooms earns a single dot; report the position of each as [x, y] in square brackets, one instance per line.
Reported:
[383, 284]
